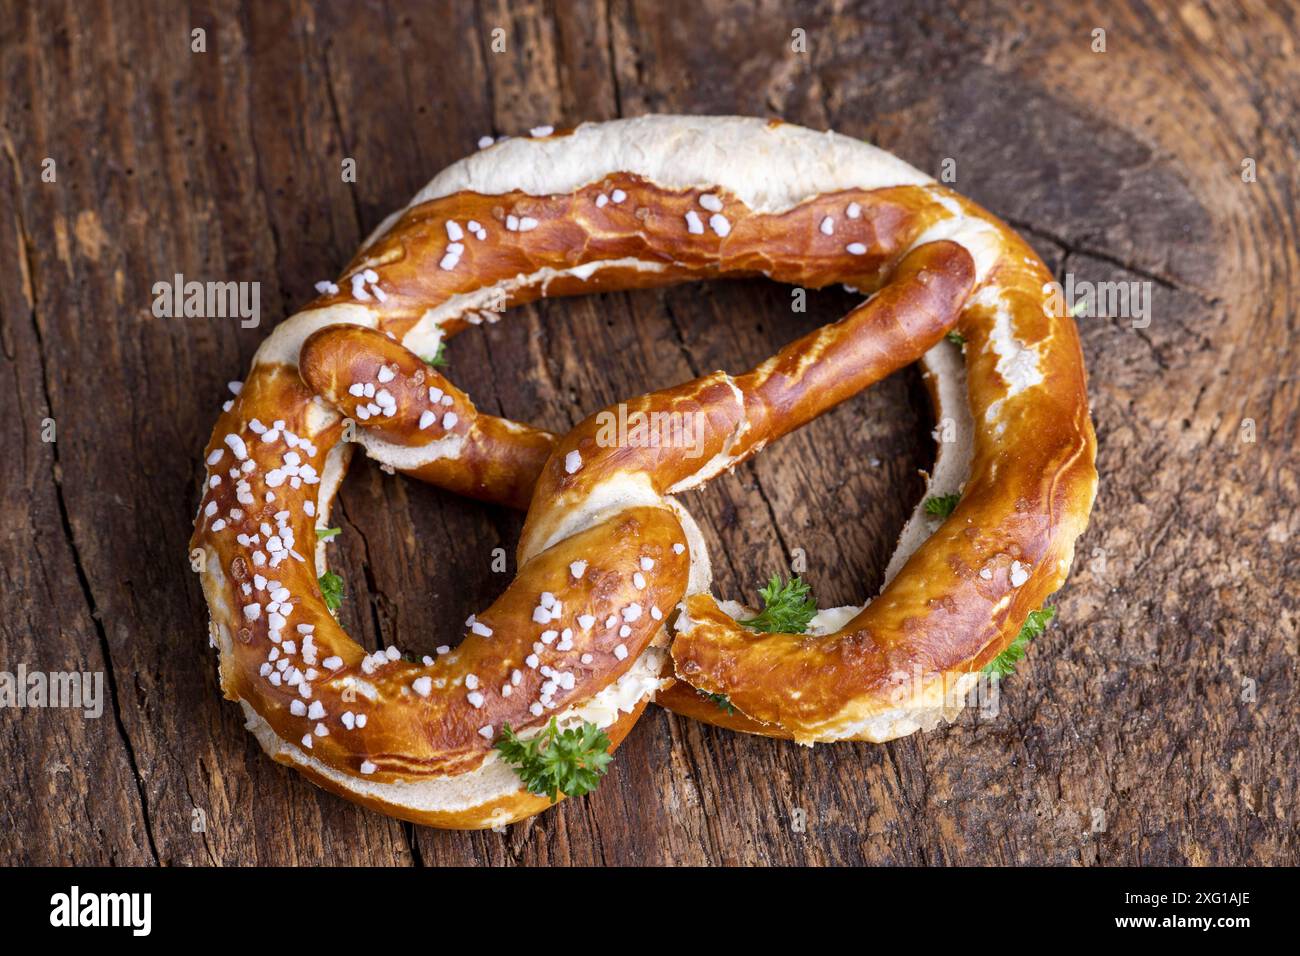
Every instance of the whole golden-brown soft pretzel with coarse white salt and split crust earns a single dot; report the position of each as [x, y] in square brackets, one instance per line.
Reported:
[612, 608]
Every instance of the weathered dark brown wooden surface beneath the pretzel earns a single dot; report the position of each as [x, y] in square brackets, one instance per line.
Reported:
[1156, 724]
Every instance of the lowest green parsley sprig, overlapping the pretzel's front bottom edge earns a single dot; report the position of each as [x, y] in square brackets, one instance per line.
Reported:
[556, 762]
